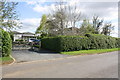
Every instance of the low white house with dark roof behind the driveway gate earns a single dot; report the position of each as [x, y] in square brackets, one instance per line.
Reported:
[26, 36]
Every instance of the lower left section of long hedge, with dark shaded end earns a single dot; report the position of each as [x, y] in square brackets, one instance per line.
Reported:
[65, 43]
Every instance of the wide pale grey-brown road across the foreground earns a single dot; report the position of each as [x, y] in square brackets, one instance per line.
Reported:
[88, 66]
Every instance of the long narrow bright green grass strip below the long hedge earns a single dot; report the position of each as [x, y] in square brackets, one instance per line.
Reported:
[93, 51]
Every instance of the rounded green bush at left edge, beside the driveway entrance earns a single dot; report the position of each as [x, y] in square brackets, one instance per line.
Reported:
[6, 43]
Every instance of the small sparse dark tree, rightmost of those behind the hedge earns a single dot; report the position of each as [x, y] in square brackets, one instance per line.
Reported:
[107, 29]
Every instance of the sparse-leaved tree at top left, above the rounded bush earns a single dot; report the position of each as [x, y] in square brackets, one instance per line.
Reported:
[8, 15]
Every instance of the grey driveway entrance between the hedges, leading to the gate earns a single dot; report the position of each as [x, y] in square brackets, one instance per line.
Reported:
[26, 55]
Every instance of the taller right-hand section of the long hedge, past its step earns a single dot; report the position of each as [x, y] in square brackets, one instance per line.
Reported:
[99, 41]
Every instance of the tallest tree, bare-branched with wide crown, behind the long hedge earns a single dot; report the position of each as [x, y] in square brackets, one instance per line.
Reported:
[64, 16]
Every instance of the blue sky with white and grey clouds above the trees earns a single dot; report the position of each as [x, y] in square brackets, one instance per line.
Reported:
[30, 13]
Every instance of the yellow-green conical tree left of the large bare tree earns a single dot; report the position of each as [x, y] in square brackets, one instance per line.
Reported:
[42, 28]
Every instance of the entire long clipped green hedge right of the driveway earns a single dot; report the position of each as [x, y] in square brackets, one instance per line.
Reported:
[75, 43]
